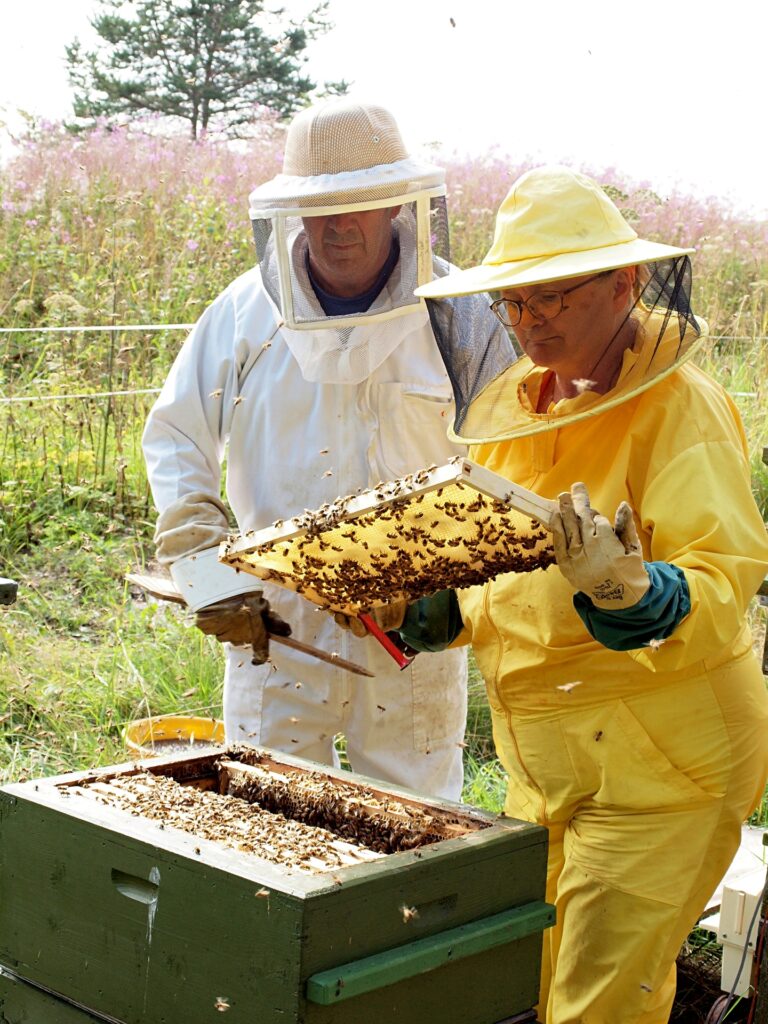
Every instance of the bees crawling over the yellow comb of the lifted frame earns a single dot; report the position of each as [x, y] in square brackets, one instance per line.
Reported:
[412, 543]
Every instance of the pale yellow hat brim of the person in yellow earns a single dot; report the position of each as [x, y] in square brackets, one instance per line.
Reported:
[540, 270]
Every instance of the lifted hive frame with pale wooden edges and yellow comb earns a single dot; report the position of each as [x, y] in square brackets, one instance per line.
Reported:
[290, 552]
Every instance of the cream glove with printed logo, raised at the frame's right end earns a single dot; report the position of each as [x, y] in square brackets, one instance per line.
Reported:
[605, 563]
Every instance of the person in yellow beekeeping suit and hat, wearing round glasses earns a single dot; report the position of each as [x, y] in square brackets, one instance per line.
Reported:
[628, 707]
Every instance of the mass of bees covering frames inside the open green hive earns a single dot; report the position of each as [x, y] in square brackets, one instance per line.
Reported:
[297, 820]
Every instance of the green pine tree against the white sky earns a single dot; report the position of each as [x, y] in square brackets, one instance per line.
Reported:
[208, 62]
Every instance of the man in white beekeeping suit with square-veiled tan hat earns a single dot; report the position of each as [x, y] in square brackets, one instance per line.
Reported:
[319, 373]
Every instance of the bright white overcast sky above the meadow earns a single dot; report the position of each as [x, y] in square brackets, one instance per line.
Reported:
[672, 93]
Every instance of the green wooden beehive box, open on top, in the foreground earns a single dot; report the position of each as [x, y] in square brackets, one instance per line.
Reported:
[110, 908]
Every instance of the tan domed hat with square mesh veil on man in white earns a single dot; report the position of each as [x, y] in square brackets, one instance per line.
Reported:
[344, 159]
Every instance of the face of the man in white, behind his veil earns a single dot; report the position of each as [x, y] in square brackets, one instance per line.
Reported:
[348, 251]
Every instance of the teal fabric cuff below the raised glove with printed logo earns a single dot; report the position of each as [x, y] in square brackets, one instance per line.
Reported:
[655, 618]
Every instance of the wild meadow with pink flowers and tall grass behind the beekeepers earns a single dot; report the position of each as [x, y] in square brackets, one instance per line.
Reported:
[129, 230]
